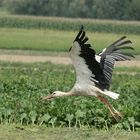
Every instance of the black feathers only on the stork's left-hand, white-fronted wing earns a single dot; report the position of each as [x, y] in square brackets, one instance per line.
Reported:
[88, 54]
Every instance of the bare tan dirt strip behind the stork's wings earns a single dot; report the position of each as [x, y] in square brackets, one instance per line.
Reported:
[55, 59]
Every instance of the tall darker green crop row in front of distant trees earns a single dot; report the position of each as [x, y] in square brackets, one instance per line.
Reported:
[108, 26]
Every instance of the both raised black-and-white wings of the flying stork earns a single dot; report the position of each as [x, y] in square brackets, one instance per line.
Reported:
[96, 69]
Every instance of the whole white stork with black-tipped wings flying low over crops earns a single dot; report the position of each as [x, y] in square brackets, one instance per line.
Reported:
[94, 71]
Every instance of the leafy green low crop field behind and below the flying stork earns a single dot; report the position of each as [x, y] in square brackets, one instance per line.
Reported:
[22, 85]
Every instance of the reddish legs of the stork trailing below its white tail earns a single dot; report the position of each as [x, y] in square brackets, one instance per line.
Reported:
[116, 114]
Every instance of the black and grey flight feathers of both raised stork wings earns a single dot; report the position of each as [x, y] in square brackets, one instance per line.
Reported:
[102, 70]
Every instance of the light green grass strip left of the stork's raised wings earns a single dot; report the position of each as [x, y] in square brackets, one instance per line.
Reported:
[34, 39]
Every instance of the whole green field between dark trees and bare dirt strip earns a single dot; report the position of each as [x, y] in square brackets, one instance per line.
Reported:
[57, 34]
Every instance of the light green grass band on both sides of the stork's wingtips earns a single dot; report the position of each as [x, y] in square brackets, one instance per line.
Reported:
[55, 40]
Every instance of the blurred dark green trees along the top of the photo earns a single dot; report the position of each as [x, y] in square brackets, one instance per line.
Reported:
[101, 9]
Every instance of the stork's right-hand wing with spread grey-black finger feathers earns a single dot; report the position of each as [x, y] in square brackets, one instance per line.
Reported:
[114, 53]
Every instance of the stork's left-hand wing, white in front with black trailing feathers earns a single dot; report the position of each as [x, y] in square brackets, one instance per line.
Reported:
[88, 70]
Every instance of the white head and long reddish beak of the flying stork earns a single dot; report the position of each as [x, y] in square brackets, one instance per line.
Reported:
[54, 95]
